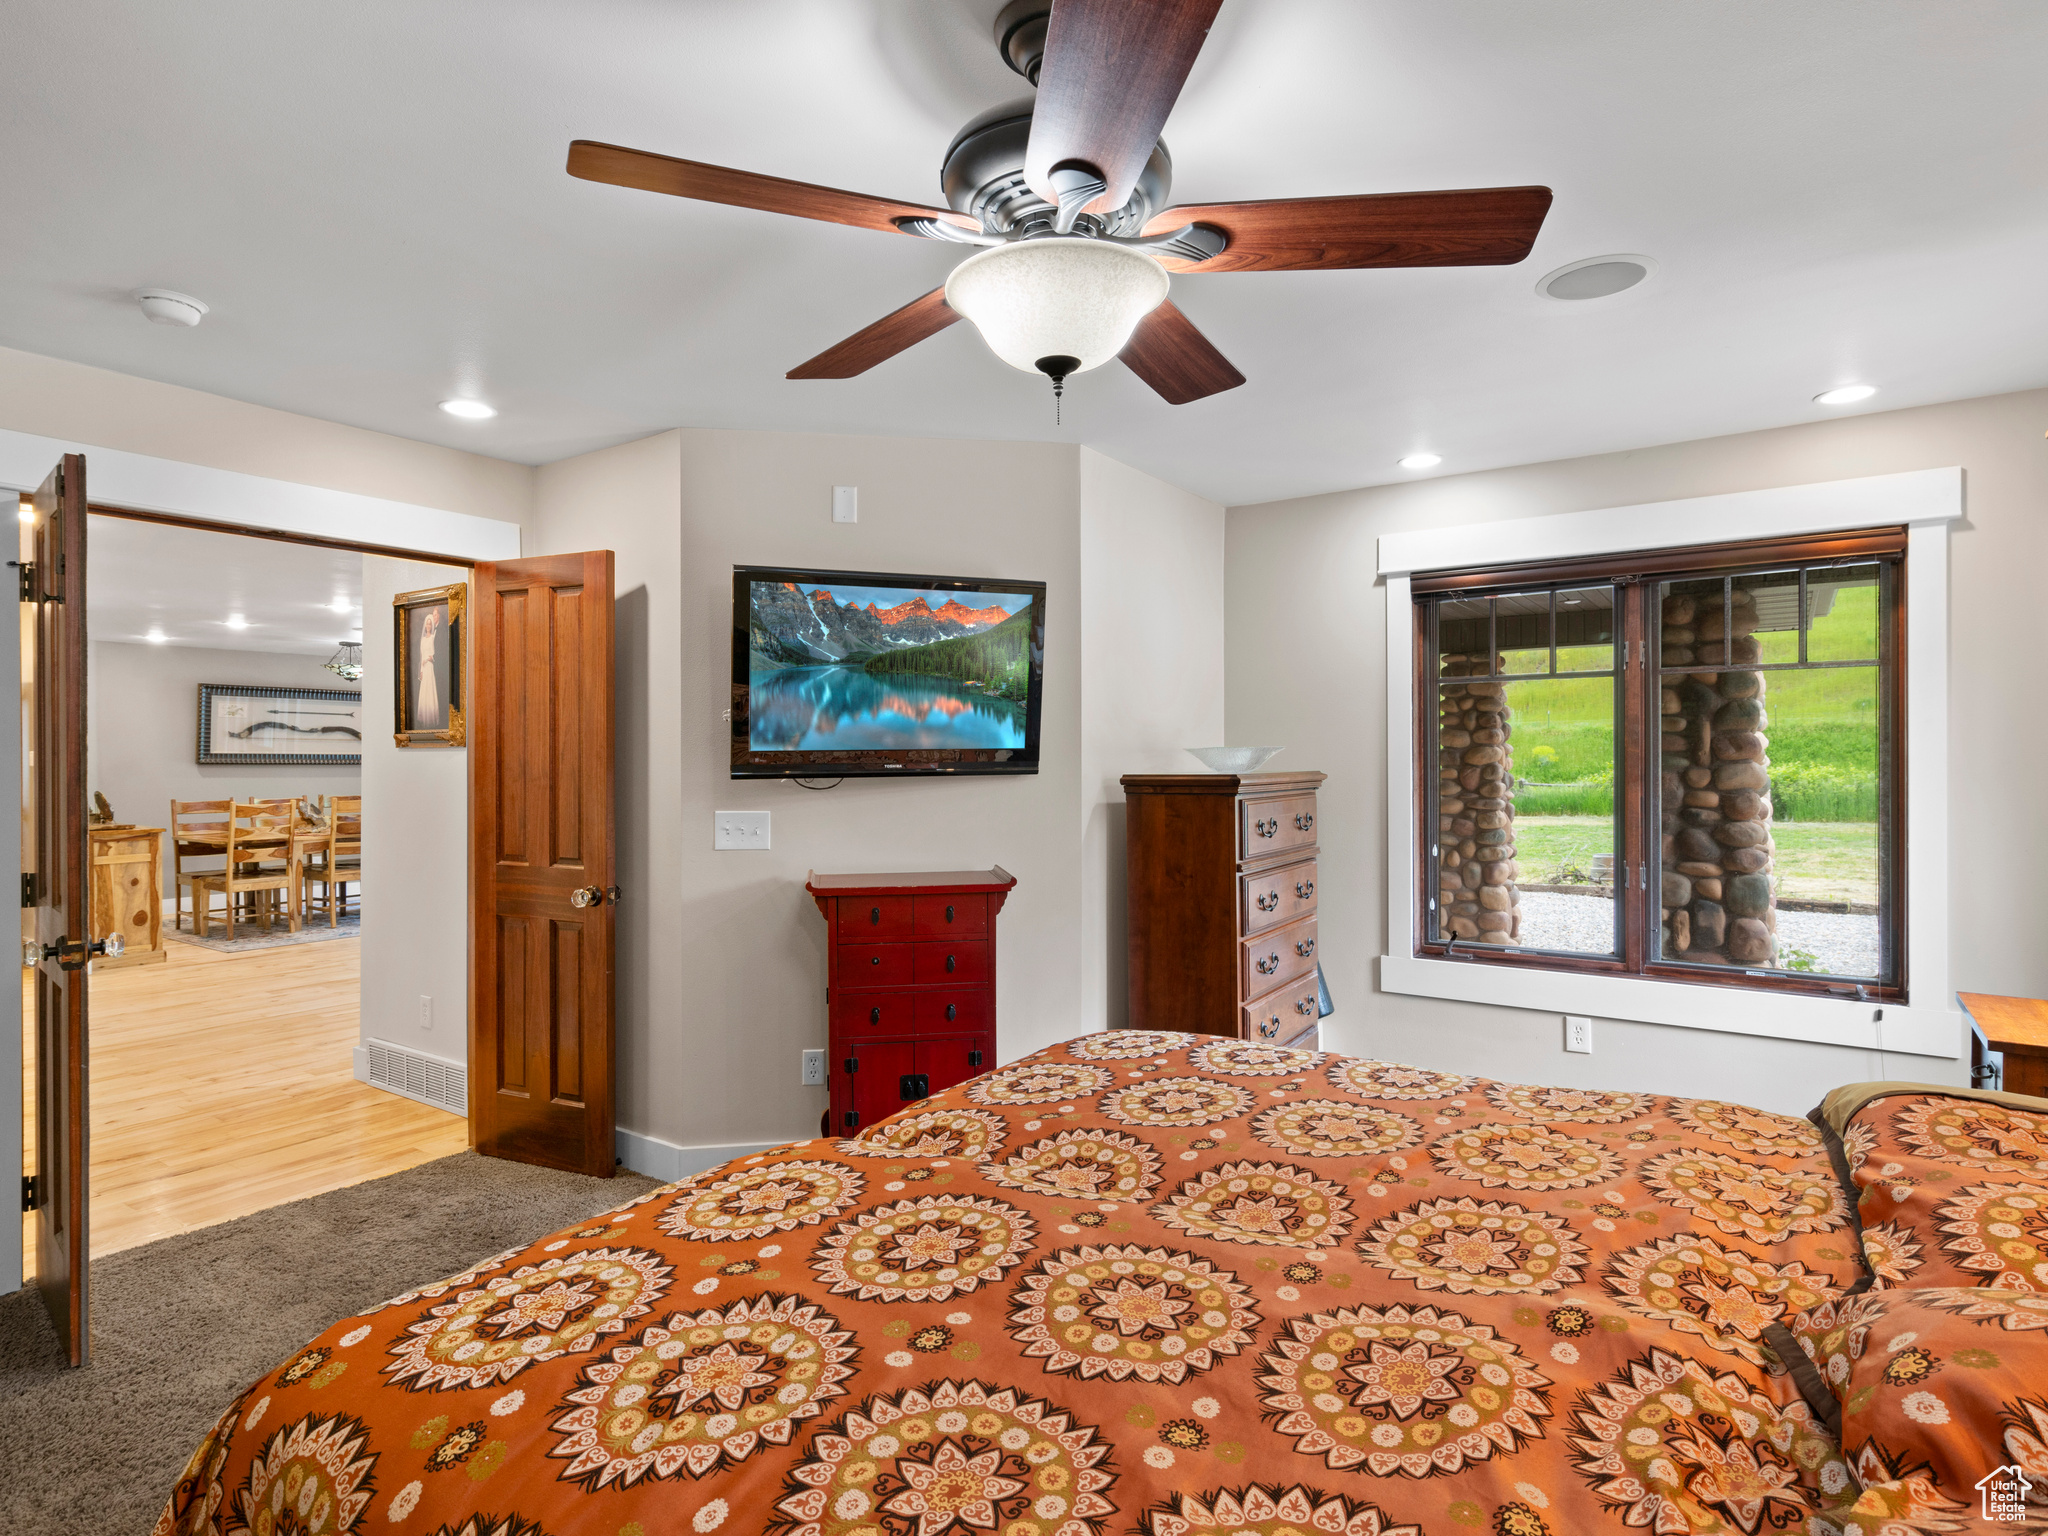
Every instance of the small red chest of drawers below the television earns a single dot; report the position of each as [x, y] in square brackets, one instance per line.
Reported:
[910, 988]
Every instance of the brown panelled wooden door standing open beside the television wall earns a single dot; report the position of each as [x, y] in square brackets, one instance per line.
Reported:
[542, 873]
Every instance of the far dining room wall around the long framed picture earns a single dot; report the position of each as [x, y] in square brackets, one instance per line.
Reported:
[144, 732]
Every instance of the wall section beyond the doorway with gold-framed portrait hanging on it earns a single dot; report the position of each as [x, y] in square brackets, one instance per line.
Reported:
[415, 849]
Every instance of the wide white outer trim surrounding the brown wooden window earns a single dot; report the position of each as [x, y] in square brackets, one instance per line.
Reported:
[1926, 503]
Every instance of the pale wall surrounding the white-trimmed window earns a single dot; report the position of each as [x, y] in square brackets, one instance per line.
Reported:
[1318, 683]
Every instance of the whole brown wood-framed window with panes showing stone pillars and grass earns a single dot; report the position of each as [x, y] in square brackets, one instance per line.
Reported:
[1680, 765]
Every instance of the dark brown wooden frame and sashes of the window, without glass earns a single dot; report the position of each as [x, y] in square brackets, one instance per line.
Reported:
[1639, 761]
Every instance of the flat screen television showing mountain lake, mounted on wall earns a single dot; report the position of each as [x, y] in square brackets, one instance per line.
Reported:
[878, 675]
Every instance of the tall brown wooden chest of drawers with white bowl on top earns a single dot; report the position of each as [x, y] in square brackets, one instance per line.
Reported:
[1224, 935]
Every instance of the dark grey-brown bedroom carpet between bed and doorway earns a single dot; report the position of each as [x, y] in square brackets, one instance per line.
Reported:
[185, 1324]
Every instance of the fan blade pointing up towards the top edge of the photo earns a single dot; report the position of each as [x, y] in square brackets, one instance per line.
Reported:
[1111, 75]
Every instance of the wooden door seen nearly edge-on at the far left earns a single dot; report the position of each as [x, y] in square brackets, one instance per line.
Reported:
[58, 785]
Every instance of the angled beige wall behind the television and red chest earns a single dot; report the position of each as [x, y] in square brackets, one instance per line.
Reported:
[722, 955]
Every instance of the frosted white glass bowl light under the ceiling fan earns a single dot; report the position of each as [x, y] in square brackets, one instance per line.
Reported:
[1056, 298]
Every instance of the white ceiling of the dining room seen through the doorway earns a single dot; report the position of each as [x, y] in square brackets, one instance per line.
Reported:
[185, 585]
